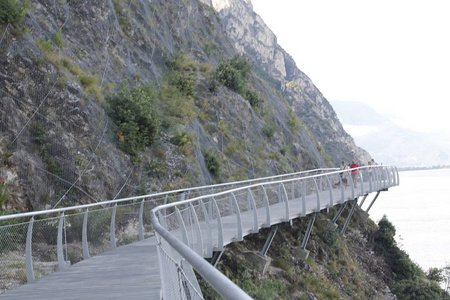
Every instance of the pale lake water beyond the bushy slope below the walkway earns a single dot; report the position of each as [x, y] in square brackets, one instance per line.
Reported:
[419, 208]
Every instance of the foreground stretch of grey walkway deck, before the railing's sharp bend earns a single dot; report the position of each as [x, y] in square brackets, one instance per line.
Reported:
[109, 275]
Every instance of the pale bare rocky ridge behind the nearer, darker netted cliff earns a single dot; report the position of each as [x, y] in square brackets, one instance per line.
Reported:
[252, 37]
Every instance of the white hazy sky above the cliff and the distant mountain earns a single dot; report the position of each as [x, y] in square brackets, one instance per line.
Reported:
[393, 55]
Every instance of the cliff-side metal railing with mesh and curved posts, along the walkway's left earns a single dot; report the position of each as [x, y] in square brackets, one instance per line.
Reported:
[35, 244]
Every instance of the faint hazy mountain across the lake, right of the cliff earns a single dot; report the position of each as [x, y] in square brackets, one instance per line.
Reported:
[387, 142]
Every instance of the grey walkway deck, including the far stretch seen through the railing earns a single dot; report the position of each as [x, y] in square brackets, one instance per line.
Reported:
[132, 271]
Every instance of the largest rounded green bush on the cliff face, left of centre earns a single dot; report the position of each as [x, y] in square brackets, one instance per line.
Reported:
[135, 116]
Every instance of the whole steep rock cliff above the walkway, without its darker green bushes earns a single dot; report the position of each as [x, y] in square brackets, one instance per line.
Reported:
[58, 77]
